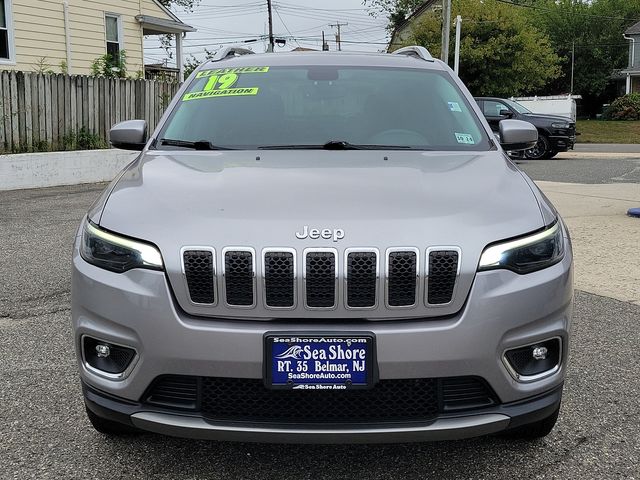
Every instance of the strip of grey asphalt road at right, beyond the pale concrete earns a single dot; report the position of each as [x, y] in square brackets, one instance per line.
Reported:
[584, 169]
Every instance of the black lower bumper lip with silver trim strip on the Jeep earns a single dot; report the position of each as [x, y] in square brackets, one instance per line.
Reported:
[445, 427]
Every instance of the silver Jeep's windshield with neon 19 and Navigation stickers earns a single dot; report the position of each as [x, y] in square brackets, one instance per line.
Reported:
[310, 107]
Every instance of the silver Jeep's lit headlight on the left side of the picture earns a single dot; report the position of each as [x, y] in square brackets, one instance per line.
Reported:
[116, 253]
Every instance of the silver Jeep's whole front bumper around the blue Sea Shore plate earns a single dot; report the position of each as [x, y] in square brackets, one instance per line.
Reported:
[503, 310]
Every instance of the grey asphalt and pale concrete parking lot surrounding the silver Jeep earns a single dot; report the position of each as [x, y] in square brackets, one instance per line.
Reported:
[44, 432]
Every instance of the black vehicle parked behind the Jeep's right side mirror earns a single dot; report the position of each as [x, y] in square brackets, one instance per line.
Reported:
[555, 133]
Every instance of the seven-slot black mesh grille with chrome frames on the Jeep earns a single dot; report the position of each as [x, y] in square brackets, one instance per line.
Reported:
[274, 280]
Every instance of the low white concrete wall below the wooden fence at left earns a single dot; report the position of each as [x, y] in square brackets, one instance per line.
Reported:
[35, 170]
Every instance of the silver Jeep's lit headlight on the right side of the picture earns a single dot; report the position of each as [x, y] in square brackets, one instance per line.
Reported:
[527, 254]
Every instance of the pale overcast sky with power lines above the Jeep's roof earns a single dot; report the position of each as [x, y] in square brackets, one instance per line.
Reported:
[299, 22]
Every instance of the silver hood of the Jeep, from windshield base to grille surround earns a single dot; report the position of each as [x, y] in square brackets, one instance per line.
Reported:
[379, 199]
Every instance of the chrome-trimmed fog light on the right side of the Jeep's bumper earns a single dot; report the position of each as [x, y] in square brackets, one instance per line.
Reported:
[530, 362]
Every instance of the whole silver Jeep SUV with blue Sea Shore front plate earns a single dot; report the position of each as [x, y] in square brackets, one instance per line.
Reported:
[323, 247]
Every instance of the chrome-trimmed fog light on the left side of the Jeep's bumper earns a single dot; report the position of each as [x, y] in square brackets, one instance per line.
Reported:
[106, 358]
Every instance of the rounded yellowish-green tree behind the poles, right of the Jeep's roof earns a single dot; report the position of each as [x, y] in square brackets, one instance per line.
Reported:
[502, 53]
